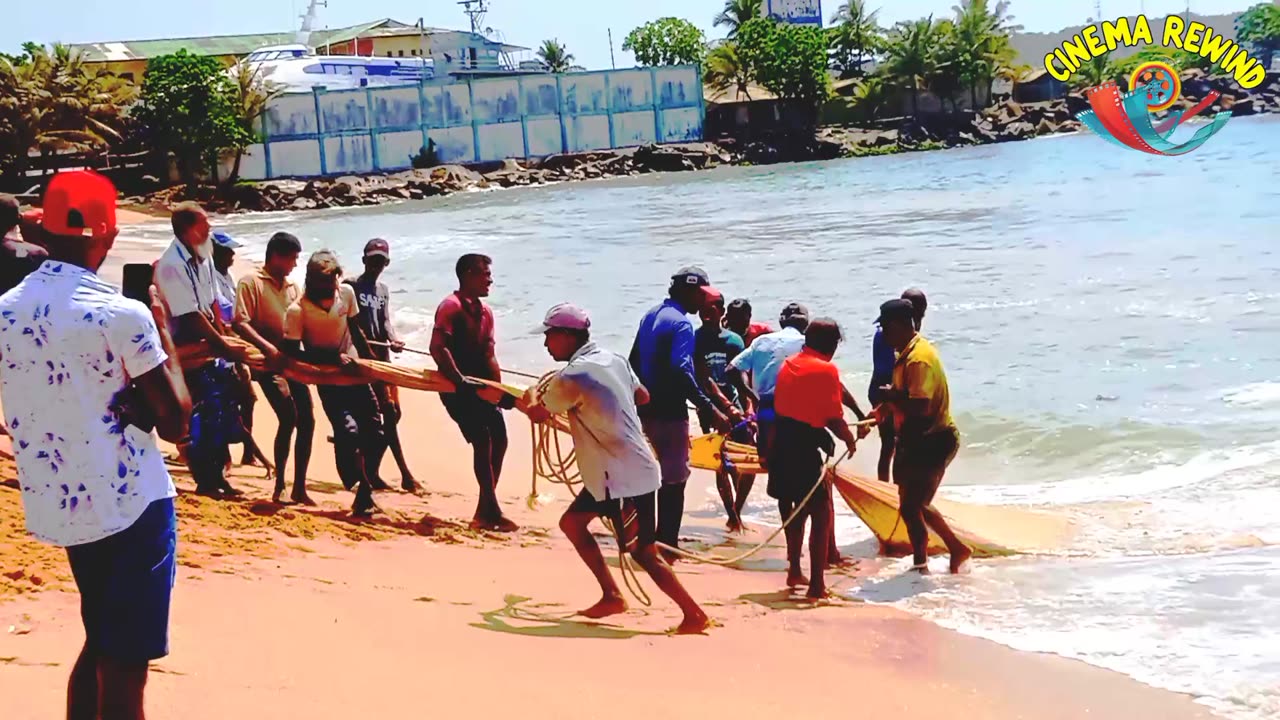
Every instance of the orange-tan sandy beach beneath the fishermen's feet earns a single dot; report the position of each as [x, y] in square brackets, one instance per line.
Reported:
[307, 613]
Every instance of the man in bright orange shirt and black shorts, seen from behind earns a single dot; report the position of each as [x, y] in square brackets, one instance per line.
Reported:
[808, 402]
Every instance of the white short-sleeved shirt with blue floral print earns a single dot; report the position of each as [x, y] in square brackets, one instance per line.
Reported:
[68, 344]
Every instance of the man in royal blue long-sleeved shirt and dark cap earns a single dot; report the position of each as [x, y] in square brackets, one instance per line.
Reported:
[664, 359]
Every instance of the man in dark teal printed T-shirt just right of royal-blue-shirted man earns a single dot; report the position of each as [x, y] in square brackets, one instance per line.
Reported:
[715, 348]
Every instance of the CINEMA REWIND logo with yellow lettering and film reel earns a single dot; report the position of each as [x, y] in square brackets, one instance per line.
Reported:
[1127, 119]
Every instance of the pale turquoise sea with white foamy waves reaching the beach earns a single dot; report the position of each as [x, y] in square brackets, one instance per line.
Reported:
[1109, 322]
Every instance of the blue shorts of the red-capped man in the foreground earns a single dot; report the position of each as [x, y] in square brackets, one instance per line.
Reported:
[126, 582]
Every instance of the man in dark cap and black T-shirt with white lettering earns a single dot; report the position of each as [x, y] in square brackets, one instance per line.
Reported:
[376, 322]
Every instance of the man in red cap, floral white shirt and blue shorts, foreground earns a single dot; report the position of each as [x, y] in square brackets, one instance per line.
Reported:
[85, 375]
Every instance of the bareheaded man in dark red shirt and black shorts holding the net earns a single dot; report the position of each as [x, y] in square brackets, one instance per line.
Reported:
[463, 347]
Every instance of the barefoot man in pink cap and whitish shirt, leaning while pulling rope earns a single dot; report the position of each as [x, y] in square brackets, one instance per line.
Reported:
[621, 477]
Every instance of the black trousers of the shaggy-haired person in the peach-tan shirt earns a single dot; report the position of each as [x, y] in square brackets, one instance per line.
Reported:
[358, 436]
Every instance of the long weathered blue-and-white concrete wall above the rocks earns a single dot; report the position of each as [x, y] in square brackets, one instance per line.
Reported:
[381, 130]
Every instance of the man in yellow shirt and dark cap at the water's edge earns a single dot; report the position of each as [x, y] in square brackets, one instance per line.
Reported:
[927, 438]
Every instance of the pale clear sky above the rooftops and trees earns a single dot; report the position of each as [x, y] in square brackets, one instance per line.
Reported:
[582, 25]
